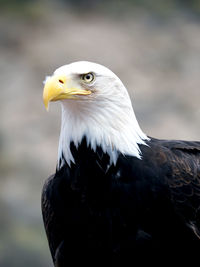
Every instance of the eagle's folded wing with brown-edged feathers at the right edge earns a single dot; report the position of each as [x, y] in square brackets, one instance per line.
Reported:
[183, 177]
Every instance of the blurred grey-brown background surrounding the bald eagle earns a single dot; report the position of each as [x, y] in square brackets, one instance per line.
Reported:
[153, 46]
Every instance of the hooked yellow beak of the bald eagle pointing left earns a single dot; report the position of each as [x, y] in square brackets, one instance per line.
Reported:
[56, 88]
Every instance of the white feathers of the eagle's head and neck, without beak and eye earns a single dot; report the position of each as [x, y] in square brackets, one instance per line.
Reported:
[105, 117]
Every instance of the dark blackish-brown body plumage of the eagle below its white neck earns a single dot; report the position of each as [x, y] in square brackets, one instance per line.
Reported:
[101, 215]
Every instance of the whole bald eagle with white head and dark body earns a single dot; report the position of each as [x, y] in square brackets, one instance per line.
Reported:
[117, 195]
